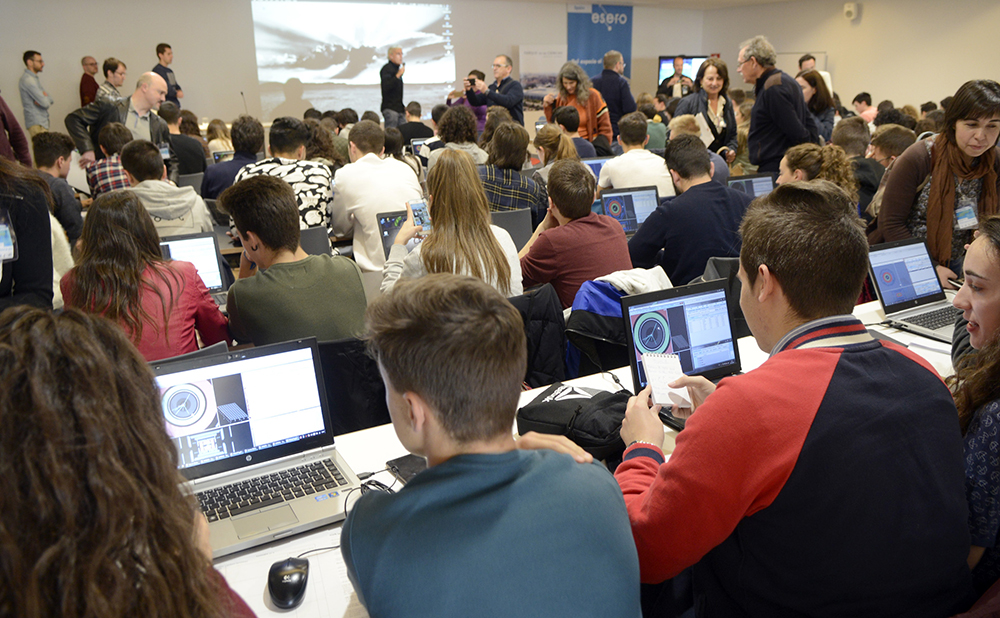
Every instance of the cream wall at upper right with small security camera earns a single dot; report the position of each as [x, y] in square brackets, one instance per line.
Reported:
[908, 51]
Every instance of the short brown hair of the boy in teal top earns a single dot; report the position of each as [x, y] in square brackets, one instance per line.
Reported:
[457, 343]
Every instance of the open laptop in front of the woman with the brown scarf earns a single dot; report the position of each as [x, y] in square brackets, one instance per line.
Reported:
[908, 288]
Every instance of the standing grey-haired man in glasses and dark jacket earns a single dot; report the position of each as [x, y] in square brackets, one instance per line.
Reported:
[779, 119]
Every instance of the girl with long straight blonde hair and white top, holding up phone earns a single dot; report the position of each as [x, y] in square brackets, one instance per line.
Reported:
[462, 239]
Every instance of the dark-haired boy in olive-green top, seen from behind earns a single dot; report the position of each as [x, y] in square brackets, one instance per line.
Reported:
[294, 295]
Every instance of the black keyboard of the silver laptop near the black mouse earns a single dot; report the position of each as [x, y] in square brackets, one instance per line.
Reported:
[245, 496]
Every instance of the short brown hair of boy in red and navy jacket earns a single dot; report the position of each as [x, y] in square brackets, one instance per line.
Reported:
[811, 239]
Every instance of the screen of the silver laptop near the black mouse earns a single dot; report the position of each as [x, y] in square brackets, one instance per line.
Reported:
[229, 411]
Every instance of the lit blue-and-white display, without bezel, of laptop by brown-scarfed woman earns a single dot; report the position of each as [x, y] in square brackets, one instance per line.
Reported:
[904, 273]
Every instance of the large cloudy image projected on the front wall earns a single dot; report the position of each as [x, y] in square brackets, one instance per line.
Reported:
[328, 55]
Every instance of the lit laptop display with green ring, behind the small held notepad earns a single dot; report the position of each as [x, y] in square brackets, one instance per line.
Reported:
[695, 327]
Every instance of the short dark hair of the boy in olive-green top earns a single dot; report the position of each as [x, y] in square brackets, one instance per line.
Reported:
[266, 206]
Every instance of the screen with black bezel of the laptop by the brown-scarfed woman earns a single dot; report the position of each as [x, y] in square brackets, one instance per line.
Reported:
[904, 274]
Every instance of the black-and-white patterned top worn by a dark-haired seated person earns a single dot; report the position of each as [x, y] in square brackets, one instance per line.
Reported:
[311, 181]
